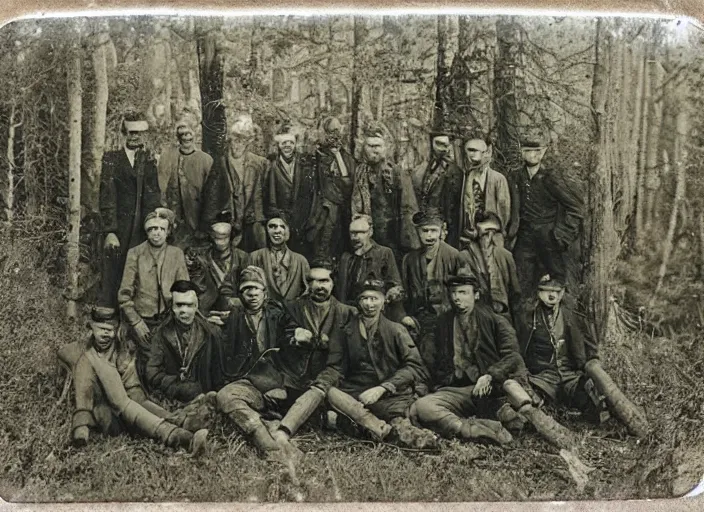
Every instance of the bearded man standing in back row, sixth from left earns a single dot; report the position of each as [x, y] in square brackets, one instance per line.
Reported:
[386, 194]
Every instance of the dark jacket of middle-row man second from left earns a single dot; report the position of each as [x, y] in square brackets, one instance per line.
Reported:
[218, 287]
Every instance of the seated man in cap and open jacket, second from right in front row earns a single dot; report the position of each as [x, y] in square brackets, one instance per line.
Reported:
[477, 350]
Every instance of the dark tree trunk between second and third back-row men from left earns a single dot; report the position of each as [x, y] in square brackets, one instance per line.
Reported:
[211, 63]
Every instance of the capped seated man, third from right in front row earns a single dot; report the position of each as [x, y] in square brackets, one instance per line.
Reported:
[382, 365]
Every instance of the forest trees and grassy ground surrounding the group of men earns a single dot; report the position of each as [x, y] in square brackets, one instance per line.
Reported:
[618, 97]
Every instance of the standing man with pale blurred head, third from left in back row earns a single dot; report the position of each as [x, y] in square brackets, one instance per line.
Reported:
[236, 184]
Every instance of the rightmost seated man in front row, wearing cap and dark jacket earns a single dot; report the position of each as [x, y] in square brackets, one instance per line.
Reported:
[556, 349]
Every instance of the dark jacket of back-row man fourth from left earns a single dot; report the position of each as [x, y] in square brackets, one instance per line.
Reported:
[292, 197]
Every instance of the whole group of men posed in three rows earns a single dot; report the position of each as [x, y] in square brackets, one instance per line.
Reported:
[273, 289]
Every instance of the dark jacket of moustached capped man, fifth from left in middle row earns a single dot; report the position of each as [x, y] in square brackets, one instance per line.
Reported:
[415, 277]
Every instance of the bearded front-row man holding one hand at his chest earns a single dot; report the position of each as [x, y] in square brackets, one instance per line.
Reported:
[310, 356]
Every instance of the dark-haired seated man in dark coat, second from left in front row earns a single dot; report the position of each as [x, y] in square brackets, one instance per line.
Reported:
[182, 348]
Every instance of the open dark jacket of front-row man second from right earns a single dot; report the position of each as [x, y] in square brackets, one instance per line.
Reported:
[496, 351]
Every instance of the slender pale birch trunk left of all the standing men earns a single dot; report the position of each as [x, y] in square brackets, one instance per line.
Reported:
[75, 95]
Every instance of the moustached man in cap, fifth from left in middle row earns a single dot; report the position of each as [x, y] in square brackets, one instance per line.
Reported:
[424, 273]
